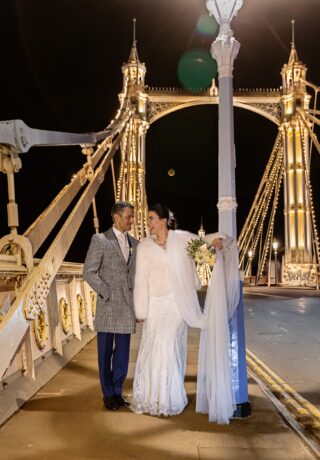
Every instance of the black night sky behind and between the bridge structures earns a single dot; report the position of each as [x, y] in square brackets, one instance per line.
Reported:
[61, 70]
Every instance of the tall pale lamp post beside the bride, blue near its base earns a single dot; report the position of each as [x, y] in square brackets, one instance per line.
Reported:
[225, 49]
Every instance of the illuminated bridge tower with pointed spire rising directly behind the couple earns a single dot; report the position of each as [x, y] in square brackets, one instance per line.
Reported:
[131, 179]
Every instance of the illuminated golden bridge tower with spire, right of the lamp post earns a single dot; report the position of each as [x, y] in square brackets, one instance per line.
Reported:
[298, 266]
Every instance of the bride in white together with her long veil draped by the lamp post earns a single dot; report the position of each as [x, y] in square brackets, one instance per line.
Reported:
[165, 297]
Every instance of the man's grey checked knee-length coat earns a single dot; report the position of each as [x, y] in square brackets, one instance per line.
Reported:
[107, 272]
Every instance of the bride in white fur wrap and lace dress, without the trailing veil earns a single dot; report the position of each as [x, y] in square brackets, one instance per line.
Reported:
[165, 297]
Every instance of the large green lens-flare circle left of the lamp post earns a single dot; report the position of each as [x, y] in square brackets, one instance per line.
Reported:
[196, 69]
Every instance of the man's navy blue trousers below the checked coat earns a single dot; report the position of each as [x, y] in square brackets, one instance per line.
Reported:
[113, 360]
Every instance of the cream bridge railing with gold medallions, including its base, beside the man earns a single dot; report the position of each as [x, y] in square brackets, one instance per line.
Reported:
[61, 329]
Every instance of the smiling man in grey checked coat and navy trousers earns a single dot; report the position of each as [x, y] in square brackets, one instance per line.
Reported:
[109, 269]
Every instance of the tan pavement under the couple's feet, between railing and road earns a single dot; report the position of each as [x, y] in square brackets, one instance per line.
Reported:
[67, 420]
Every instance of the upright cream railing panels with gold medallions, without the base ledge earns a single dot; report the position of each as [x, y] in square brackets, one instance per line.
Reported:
[67, 312]
